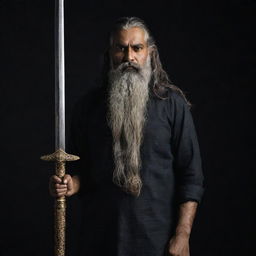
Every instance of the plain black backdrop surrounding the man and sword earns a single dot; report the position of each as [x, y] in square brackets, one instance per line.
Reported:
[207, 49]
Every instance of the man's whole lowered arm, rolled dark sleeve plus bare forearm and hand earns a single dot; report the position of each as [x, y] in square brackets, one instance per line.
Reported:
[188, 170]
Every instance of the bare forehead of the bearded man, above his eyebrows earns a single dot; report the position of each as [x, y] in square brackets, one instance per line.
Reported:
[133, 35]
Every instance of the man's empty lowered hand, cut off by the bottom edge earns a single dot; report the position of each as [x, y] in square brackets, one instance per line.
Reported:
[179, 245]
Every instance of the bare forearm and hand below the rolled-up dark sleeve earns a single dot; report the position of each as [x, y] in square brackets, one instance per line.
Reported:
[179, 243]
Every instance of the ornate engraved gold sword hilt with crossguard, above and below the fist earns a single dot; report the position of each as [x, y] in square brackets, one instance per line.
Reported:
[60, 157]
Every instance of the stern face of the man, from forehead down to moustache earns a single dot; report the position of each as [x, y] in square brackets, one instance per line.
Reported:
[129, 46]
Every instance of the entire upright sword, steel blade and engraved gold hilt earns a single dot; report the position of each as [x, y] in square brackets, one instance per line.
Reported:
[59, 156]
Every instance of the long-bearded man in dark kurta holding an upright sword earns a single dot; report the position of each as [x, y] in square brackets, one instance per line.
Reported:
[140, 174]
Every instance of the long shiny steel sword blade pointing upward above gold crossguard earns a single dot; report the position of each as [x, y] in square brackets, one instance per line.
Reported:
[59, 76]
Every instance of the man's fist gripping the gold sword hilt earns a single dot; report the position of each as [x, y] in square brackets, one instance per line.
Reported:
[58, 188]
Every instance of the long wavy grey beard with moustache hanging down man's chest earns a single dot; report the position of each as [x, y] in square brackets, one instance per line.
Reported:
[128, 97]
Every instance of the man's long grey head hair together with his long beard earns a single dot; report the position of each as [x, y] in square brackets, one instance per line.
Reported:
[128, 96]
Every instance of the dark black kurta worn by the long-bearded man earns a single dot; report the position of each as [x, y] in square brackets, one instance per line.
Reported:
[119, 224]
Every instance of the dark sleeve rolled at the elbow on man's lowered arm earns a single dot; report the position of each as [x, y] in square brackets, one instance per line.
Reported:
[185, 148]
